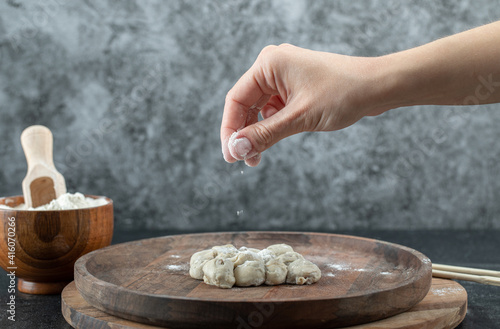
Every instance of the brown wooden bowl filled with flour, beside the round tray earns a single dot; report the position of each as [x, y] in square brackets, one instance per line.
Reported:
[41, 247]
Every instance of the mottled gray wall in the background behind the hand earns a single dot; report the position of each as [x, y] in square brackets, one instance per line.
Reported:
[133, 92]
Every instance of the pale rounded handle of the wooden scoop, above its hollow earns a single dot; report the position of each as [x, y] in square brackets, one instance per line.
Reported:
[37, 142]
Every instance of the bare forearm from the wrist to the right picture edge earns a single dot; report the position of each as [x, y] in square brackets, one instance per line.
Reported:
[463, 69]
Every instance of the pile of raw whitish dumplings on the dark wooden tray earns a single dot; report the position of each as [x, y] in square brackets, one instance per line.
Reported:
[226, 266]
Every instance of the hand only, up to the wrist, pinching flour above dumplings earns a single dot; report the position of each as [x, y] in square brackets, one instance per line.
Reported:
[296, 90]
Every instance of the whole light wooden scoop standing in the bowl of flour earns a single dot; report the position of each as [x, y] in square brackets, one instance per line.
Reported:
[43, 183]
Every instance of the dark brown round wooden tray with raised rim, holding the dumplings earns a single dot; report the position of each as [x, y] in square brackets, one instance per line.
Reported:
[363, 280]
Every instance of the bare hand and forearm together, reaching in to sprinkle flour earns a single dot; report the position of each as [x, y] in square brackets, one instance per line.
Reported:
[298, 90]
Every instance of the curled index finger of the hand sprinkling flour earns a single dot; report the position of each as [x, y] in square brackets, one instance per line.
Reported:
[247, 93]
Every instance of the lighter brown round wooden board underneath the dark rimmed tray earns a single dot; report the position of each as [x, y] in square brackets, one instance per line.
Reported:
[444, 307]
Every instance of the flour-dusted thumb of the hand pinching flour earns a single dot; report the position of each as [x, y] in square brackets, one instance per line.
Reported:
[254, 139]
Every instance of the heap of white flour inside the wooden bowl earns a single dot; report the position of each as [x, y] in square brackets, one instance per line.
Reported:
[66, 201]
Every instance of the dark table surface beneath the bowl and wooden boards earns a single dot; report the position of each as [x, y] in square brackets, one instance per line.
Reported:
[479, 249]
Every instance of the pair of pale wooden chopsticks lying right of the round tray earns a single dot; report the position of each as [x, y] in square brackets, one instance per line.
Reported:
[465, 273]
